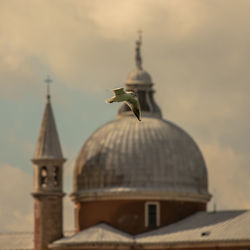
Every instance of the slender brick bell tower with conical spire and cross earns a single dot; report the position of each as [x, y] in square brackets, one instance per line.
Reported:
[48, 182]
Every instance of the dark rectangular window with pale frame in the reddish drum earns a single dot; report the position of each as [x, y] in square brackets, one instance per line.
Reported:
[152, 214]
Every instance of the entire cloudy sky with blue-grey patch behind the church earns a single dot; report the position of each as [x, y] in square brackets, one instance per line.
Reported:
[197, 52]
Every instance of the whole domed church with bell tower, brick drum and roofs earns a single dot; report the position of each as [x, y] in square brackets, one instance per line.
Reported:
[137, 185]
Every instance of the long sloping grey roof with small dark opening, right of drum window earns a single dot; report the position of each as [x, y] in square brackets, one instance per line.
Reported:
[222, 226]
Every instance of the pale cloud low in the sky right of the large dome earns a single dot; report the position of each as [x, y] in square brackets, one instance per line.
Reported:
[229, 174]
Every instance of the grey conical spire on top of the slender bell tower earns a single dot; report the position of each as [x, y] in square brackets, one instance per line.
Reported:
[48, 144]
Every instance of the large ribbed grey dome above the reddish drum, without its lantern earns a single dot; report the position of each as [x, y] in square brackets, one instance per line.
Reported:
[148, 158]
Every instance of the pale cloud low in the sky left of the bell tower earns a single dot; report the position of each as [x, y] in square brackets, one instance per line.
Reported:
[16, 212]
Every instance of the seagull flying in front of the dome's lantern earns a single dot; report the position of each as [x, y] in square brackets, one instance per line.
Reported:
[129, 98]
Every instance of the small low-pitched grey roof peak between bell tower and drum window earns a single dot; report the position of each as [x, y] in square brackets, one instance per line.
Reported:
[98, 234]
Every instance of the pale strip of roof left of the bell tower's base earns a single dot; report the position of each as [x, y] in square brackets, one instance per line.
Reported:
[14, 241]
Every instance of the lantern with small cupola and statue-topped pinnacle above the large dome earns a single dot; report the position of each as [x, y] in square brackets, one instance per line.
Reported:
[141, 83]
